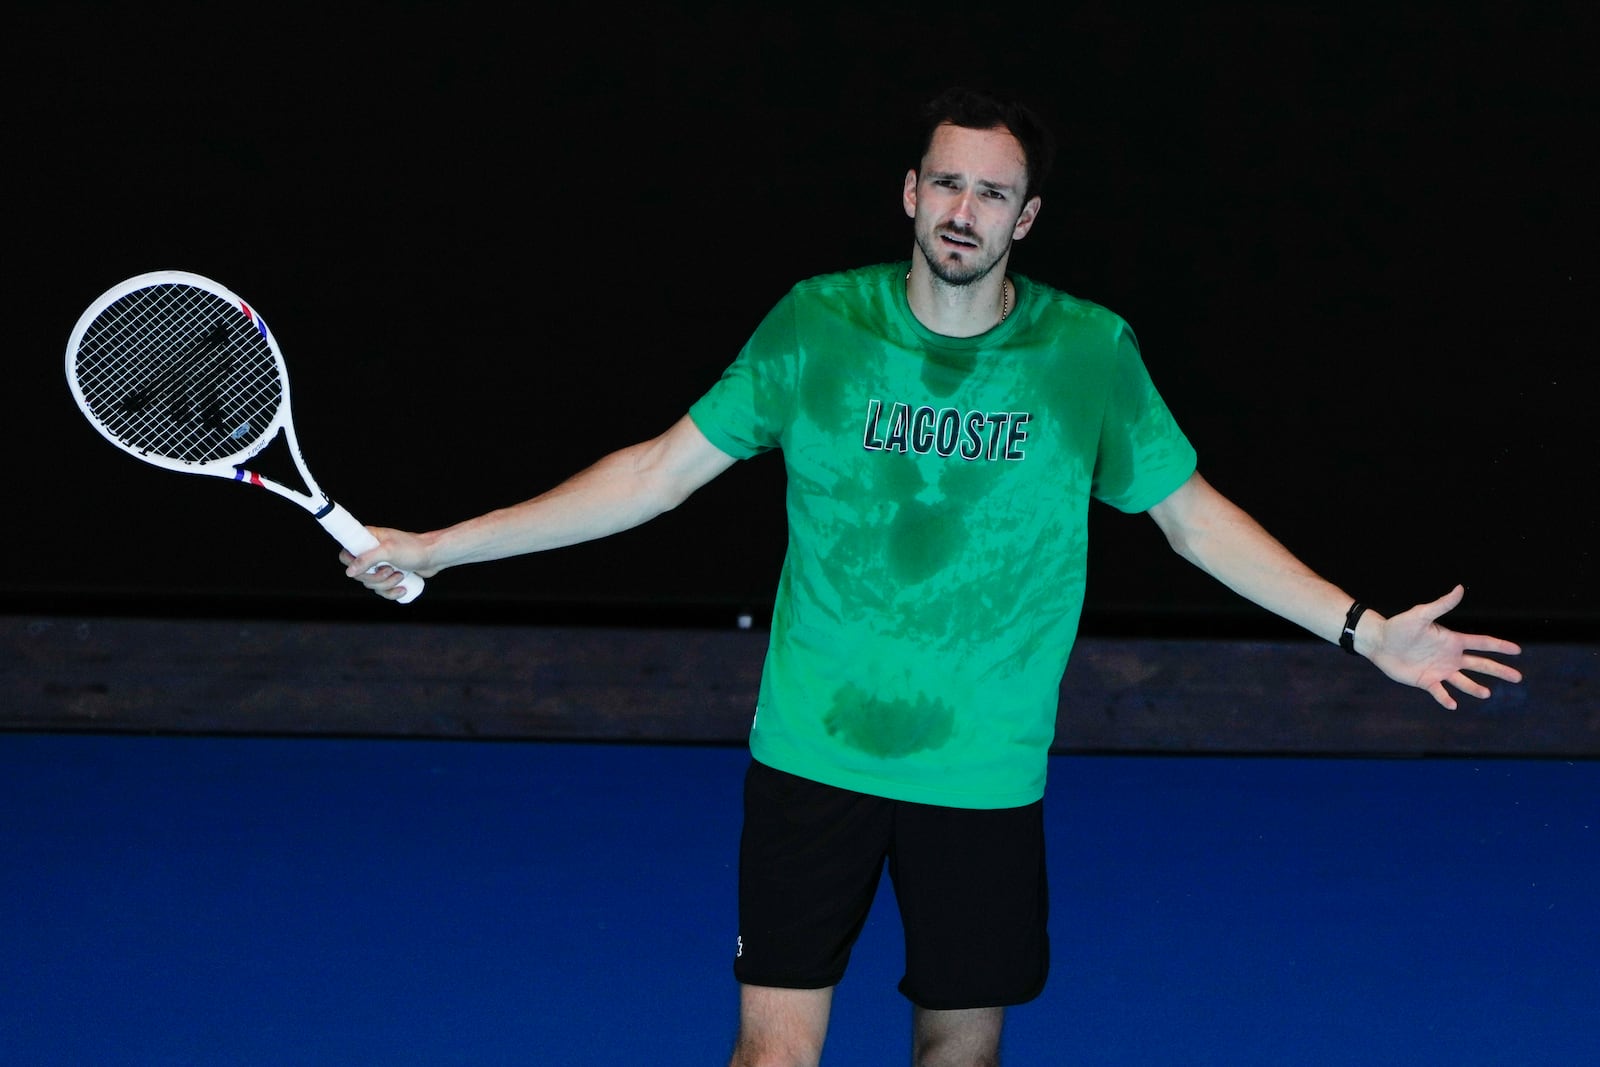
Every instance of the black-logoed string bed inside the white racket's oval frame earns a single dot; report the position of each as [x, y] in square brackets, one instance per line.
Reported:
[182, 374]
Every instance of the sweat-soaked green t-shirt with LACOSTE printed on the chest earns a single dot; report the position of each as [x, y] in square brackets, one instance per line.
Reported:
[938, 526]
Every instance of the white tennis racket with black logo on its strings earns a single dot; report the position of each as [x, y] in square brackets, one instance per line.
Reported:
[182, 374]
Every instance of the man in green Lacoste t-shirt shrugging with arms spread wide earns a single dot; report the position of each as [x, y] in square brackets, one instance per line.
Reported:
[945, 426]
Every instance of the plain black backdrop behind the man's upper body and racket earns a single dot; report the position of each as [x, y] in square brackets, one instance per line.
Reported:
[1358, 246]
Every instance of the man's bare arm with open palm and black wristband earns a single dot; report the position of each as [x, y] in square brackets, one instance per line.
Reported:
[1220, 538]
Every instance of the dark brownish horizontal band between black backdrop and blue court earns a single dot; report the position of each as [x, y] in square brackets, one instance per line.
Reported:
[689, 685]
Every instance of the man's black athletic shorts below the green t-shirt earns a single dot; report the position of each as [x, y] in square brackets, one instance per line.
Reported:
[970, 887]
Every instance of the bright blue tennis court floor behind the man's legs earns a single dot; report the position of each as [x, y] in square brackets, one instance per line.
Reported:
[257, 901]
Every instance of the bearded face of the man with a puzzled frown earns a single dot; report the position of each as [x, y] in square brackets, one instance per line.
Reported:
[967, 202]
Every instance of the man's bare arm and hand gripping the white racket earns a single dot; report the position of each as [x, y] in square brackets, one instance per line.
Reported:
[620, 492]
